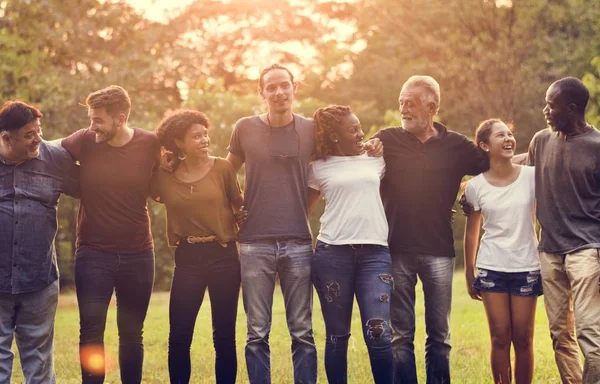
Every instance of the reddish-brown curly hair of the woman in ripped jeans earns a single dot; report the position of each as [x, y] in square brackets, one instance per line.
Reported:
[326, 120]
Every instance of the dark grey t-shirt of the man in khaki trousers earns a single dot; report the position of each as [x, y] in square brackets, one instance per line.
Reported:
[567, 189]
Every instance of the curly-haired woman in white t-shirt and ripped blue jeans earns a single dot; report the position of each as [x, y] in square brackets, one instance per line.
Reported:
[352, 255]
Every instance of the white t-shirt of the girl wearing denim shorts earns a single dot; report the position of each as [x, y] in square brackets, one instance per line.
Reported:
[509, 243]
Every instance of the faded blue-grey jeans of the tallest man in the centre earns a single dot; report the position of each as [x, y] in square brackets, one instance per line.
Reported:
[260, 262]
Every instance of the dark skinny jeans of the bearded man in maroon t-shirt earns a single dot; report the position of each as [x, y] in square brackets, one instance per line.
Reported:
[97, 275]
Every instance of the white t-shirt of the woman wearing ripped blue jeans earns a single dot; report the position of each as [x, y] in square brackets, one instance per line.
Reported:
[353, 208]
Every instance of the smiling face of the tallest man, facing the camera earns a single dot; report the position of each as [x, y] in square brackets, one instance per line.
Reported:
[278, 90]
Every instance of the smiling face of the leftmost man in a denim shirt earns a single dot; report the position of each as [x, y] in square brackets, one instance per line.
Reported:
[24, 143]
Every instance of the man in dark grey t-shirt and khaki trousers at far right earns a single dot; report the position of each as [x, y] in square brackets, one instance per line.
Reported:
[566, 157]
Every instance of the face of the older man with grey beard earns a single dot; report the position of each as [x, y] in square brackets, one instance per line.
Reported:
[416, 108]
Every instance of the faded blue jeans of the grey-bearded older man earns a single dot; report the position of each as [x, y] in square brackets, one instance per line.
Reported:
[436, 275]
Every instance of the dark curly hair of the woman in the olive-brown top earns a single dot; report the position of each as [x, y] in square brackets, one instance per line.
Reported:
[175, 126]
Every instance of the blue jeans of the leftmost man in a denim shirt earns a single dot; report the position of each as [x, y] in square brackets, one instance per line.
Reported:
[30, 317]
